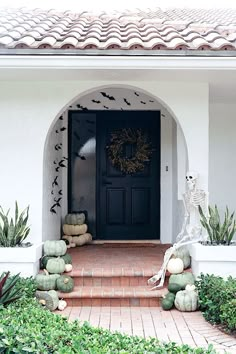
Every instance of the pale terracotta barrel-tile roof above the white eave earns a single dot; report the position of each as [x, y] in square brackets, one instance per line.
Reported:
[150, 29]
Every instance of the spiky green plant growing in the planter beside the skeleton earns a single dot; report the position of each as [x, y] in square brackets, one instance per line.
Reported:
[218, 233]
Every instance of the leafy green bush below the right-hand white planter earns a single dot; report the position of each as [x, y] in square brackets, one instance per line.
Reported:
[217, 298]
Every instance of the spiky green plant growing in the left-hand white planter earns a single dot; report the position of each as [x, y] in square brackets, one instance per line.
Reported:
[13, 232]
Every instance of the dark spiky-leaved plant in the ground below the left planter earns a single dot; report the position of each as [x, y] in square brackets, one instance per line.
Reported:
[7, 292]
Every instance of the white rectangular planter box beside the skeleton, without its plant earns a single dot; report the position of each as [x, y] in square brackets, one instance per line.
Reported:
[217, 260]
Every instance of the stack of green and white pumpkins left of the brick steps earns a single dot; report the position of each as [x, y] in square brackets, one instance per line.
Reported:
[54, 262]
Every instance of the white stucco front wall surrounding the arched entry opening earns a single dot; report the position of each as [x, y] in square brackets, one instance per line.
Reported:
[28, 110]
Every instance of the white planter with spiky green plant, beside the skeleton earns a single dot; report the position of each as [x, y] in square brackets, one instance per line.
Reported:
[216, 255]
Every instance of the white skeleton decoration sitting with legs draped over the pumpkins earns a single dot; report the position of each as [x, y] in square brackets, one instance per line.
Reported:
[191, 230]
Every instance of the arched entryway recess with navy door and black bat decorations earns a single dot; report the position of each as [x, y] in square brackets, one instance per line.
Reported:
[72, 180]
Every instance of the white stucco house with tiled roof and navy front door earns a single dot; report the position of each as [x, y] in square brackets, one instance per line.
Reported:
[65, 77]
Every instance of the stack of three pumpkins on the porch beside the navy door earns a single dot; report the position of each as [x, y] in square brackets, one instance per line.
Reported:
[75, 230]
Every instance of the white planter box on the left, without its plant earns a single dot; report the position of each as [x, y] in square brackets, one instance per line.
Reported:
[23, 260]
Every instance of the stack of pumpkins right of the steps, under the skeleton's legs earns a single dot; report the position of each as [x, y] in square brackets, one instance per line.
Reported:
[182, 293]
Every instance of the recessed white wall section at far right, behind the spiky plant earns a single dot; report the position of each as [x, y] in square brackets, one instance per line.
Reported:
[222, 161]
